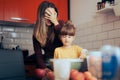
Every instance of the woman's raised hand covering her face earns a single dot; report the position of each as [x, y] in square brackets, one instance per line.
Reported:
[51, 15]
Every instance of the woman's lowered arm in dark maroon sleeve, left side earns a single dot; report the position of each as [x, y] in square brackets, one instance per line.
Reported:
[38, 53]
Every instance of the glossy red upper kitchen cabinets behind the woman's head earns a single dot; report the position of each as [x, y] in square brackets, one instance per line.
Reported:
[26, 10]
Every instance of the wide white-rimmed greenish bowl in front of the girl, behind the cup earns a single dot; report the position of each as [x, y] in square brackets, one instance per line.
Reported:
[74, 63]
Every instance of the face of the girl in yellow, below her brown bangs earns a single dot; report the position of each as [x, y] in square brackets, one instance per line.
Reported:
[67, 40]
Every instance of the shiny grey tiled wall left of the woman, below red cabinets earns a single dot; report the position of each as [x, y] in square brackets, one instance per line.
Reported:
[13, 36]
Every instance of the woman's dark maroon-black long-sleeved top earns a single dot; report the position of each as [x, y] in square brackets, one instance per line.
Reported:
[48, 48]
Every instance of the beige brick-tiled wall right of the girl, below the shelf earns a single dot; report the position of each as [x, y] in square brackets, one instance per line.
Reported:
[103, 29]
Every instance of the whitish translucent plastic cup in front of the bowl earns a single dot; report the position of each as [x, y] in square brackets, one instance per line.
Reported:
[61, 69]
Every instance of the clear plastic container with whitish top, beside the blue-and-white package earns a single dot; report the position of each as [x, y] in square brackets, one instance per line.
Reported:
[95, 63]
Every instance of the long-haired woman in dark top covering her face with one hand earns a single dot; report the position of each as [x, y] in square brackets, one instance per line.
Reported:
[45, 36]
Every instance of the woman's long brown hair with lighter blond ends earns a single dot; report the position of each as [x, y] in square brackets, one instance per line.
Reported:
[40, 30]
